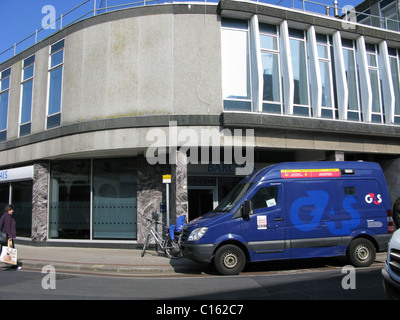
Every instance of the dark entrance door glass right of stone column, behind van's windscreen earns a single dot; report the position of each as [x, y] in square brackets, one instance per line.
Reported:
[201, 201]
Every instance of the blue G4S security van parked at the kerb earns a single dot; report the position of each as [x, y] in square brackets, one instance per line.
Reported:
[295, 210]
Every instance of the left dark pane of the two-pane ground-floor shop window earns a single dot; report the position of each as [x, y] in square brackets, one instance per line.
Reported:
[69, 216]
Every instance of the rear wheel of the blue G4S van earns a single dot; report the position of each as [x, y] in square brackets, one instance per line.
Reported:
[361, 252]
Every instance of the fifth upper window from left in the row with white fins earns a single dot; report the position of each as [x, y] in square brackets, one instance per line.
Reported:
[352, 82]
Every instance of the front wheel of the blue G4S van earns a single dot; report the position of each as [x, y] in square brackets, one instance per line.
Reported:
[229, 260]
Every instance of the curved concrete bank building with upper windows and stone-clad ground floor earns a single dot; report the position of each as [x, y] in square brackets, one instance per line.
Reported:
[92, 117]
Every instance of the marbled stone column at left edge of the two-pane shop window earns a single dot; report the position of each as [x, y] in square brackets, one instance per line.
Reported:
[40, 190]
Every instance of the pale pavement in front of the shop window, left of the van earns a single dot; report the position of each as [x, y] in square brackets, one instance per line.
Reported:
[105, 261]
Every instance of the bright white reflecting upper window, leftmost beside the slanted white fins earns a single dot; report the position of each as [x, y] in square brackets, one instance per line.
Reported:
[235, 65]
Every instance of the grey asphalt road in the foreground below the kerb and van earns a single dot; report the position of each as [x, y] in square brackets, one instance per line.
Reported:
[316, 283]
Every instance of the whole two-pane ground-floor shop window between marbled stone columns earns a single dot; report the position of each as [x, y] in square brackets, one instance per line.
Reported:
[93, 199]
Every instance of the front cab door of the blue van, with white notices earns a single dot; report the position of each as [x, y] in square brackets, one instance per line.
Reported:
[265, 230]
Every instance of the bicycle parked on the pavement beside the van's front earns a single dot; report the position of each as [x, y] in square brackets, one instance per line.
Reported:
[170, 245]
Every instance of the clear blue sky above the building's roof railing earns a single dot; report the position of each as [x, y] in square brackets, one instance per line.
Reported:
[20, 18]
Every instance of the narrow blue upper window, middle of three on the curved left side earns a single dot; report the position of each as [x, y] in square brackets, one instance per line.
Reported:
[26, 99]
